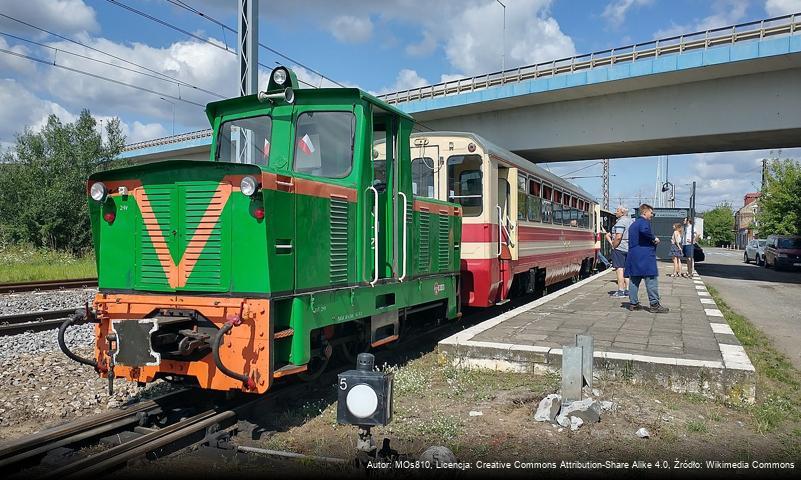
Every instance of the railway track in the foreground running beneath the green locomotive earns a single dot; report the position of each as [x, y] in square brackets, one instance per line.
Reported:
[164, 425]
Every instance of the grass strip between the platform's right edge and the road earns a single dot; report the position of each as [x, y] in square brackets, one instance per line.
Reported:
[778, 382]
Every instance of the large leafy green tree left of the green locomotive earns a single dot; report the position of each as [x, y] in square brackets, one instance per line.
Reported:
[43, 181]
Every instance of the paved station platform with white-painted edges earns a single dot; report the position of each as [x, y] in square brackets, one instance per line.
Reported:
[689, 349]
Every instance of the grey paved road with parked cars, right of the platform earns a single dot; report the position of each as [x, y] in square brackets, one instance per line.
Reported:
[771, 300]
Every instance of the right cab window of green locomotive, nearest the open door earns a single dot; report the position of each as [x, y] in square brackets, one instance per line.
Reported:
[324, 143]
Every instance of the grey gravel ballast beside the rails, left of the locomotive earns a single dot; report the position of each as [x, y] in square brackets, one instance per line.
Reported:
[39, 385]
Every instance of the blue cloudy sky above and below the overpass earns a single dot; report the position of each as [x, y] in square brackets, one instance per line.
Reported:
[376, 45]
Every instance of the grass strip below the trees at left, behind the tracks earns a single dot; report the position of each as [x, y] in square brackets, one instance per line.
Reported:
[25, 264]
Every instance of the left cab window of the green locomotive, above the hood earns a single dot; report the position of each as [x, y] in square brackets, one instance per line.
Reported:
[246, 140]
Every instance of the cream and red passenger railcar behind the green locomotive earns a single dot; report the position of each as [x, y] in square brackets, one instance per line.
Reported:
[523, 227]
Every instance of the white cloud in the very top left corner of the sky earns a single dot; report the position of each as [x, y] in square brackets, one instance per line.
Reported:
[62, 16]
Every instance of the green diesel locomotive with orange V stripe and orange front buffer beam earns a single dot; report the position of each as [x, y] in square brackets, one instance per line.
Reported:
[252, 266]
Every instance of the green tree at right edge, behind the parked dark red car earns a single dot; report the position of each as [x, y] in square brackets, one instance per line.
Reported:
[779, 210]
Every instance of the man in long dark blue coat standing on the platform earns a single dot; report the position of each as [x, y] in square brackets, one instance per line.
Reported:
[641, 262]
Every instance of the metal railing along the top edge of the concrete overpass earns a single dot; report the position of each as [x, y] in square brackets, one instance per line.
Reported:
[772, 27]
